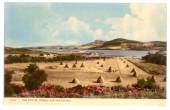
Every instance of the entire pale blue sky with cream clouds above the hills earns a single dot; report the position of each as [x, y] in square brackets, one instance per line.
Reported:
[37, 24]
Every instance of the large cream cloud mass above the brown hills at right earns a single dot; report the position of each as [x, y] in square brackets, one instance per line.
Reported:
[145, 22]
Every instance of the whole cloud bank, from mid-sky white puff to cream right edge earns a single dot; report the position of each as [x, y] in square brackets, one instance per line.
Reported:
[145, 22]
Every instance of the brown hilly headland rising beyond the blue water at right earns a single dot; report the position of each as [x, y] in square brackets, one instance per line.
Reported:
[121, 43]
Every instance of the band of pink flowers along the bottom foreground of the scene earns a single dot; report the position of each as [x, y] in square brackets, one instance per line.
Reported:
[52, 91]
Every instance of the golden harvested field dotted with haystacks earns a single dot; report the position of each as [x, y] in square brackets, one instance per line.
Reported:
[87, 75]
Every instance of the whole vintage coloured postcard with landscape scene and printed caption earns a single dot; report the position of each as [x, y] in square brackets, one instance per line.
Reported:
[85, 53]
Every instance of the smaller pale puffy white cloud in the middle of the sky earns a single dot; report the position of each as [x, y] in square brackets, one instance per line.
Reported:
[67, 31]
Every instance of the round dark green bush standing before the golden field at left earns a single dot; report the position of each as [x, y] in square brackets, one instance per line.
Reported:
[34, 77]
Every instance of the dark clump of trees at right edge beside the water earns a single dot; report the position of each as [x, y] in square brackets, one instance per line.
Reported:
[155, 58]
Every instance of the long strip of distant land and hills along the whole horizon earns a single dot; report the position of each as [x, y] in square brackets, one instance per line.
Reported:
[119, 43]
